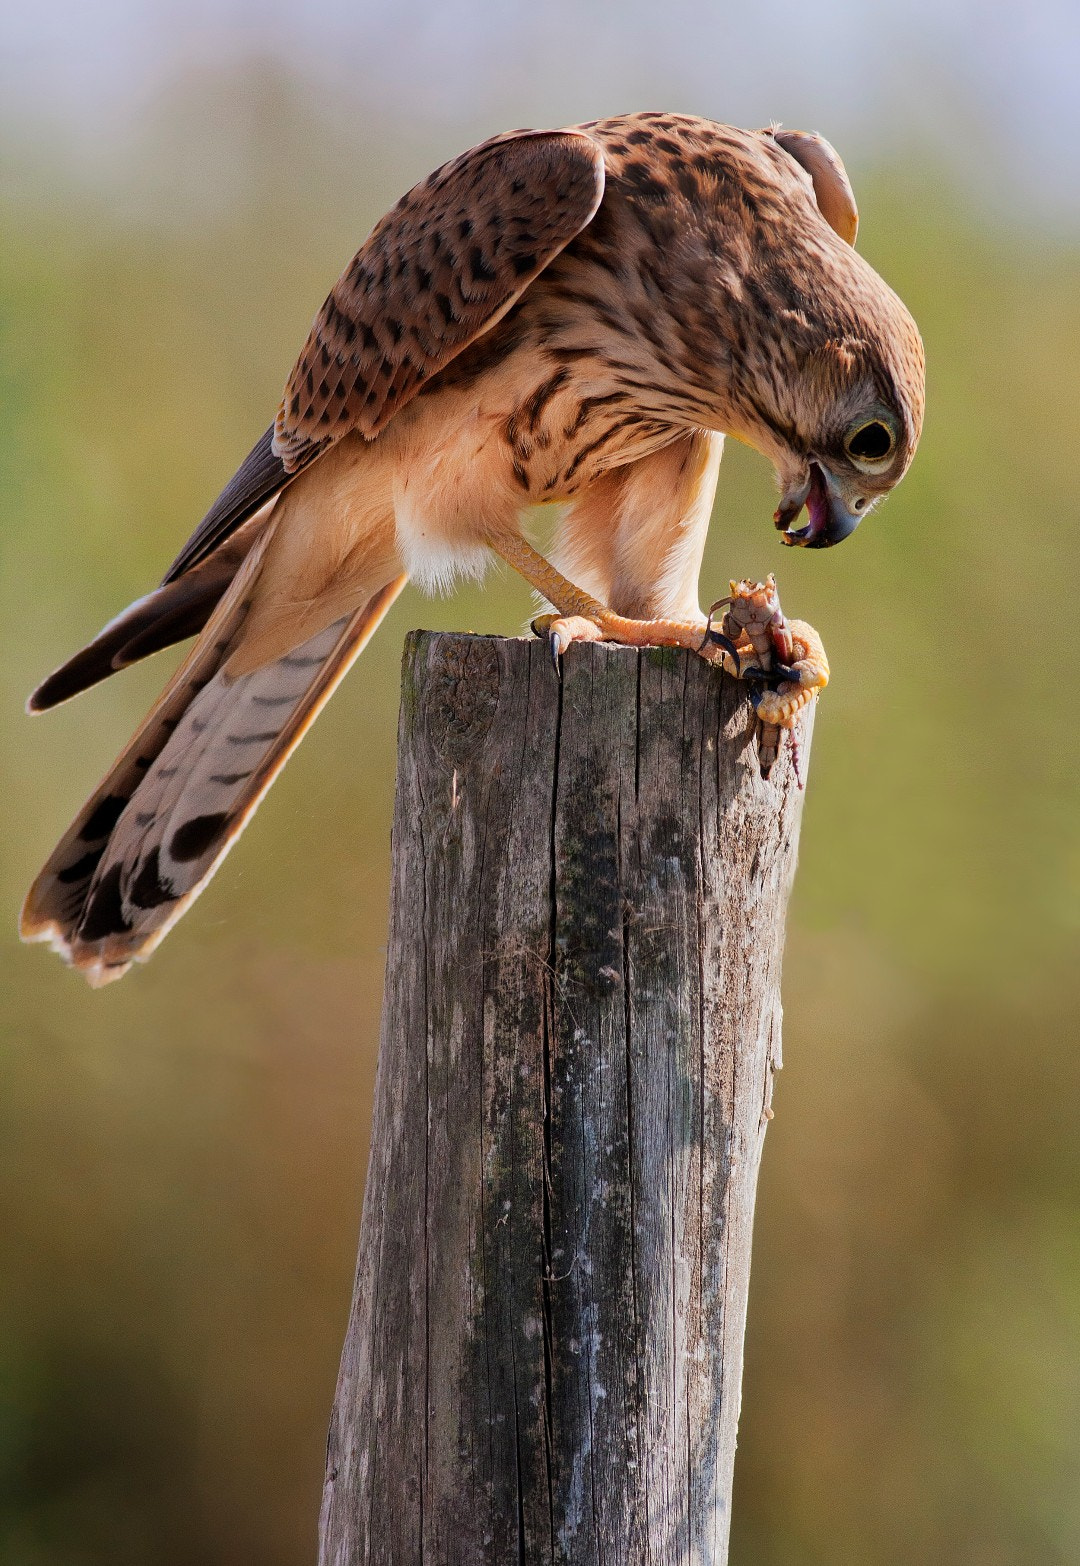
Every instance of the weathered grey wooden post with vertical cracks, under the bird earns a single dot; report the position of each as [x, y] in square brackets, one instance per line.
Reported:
[580, 1030]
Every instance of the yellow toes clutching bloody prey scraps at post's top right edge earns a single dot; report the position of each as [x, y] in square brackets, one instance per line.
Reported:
[790, 660]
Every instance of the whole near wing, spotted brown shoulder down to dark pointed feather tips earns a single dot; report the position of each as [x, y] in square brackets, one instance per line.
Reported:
[437, 273]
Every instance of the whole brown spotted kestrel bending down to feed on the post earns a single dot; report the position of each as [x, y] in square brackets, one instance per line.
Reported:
[575, 316]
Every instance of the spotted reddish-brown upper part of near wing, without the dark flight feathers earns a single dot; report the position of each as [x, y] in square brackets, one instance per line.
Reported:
[436, 273]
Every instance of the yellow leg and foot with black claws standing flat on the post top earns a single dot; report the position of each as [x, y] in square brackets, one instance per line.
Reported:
[581, 618]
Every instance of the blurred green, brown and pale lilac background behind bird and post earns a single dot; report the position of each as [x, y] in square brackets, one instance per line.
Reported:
[182, 1156]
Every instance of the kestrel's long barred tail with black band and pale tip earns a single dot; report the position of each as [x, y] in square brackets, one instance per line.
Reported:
[182, 792]
